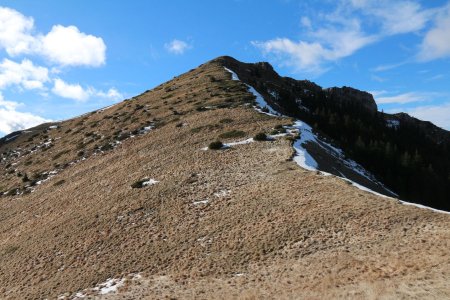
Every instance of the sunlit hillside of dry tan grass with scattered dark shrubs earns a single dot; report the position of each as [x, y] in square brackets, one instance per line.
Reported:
[130, 193]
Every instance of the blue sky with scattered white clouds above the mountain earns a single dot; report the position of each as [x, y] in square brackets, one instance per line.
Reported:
[59, 59]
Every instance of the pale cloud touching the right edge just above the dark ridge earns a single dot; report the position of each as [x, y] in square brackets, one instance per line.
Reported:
[437, 114]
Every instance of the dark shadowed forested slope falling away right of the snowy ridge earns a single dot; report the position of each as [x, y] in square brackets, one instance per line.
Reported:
[410, 157]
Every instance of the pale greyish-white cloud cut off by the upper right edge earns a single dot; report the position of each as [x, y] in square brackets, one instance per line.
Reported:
[436, 43]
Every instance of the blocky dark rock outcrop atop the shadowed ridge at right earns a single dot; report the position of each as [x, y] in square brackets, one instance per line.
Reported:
[353, 95]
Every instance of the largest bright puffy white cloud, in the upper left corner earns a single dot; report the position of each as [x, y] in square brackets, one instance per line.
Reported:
[65, 46]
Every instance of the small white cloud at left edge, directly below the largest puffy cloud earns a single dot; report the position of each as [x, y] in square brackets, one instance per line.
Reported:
[24, 74]
